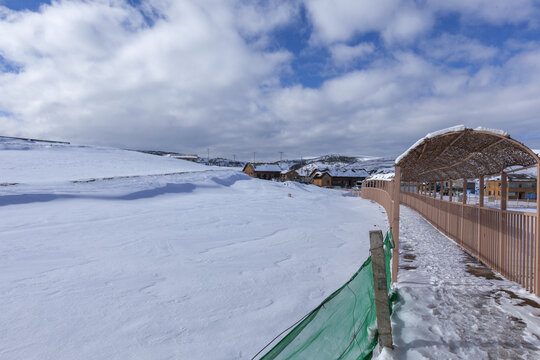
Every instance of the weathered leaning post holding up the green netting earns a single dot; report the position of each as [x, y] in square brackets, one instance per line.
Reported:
[380, 288]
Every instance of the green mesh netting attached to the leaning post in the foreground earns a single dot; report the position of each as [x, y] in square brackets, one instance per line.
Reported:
[343, 326]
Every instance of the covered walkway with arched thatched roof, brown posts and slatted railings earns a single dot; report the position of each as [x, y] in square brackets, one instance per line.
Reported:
[507, 241]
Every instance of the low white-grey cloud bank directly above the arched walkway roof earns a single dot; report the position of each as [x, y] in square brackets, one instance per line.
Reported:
[387, 107]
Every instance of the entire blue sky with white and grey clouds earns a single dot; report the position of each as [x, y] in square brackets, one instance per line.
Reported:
[306, 77]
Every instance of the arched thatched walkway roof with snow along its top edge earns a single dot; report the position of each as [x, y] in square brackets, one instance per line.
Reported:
[462, 153]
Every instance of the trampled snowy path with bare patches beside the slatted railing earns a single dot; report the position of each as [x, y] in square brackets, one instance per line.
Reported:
[452, 307]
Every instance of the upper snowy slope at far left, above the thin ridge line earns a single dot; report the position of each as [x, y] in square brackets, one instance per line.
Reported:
[38, 162]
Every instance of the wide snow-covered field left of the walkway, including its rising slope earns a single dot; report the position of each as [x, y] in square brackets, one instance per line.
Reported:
[203, 263]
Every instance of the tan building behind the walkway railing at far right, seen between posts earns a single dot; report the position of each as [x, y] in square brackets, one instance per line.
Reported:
[520, 186]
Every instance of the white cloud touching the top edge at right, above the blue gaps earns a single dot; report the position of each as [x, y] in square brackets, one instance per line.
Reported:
[401, 22]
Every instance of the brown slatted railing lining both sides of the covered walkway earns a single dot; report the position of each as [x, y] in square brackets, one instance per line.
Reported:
[501, 239]
